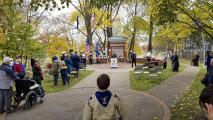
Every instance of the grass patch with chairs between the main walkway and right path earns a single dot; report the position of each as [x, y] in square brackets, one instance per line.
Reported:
[143, 83]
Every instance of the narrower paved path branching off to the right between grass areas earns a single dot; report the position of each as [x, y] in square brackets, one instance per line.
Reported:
[171, 90]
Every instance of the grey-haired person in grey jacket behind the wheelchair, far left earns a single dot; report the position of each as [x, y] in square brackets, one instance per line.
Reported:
[6, 83]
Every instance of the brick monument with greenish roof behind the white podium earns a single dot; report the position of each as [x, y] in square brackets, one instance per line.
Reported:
[117, 44]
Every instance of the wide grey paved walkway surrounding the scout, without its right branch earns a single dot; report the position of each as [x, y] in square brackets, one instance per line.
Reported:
[68, 105]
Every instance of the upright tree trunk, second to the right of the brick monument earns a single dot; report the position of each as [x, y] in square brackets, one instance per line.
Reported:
[150, 34]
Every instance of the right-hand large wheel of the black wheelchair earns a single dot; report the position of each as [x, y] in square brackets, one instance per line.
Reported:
[30, 99]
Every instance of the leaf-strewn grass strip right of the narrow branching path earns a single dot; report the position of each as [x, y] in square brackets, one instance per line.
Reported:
[188, 107]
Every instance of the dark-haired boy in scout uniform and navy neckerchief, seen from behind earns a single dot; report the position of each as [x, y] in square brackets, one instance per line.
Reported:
[103, 105]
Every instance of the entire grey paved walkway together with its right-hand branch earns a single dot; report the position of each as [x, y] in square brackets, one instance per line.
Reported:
[68, 105]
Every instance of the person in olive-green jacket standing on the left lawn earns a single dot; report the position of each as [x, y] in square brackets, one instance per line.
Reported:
[55, 69]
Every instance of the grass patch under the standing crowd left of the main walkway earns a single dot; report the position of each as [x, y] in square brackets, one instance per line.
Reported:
[47, 83]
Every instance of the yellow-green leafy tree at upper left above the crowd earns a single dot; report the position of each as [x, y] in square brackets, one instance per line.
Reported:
[18, 36]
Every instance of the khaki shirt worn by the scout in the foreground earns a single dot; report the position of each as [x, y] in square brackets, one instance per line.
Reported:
[95, 111]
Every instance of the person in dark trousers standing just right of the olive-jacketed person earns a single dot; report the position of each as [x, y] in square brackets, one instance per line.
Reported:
[64, 74]
